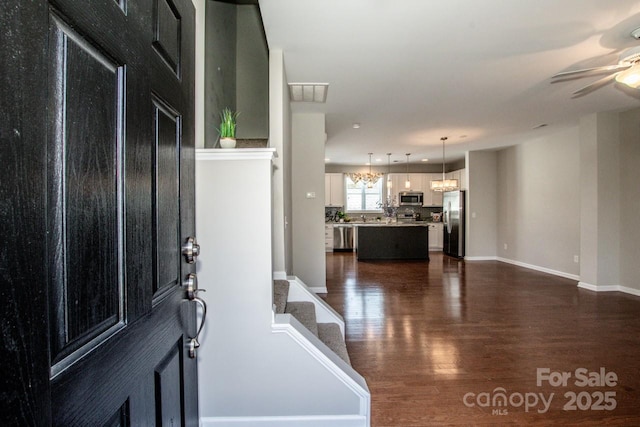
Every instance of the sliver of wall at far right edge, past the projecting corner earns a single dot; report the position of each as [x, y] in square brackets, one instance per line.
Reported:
[630, 199]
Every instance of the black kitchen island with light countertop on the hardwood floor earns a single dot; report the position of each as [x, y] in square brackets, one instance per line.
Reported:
[392, 241]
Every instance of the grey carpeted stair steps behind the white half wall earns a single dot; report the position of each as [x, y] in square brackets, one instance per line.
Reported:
[330, 333]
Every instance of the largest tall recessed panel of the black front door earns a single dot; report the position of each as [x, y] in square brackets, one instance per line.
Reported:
[85, 209]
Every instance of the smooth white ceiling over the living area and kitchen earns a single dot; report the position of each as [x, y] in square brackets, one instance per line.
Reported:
[412, 71]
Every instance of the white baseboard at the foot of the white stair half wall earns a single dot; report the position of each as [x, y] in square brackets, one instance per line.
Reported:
[290, 421]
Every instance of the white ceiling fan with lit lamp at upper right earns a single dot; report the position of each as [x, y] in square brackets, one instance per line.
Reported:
[626, 71]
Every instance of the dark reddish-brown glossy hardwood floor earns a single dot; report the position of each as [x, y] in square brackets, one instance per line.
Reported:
[441, 342]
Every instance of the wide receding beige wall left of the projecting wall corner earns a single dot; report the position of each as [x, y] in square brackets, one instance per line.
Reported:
[539, 202]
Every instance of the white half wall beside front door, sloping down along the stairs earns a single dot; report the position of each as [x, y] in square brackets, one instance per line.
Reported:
[248, 367]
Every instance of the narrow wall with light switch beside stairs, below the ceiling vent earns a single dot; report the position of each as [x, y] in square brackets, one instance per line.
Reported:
[308, 139]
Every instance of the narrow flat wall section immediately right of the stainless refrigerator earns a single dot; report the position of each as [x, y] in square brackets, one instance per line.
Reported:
[481, 200]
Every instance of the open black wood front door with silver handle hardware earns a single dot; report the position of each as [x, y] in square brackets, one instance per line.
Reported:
[96, 201]
